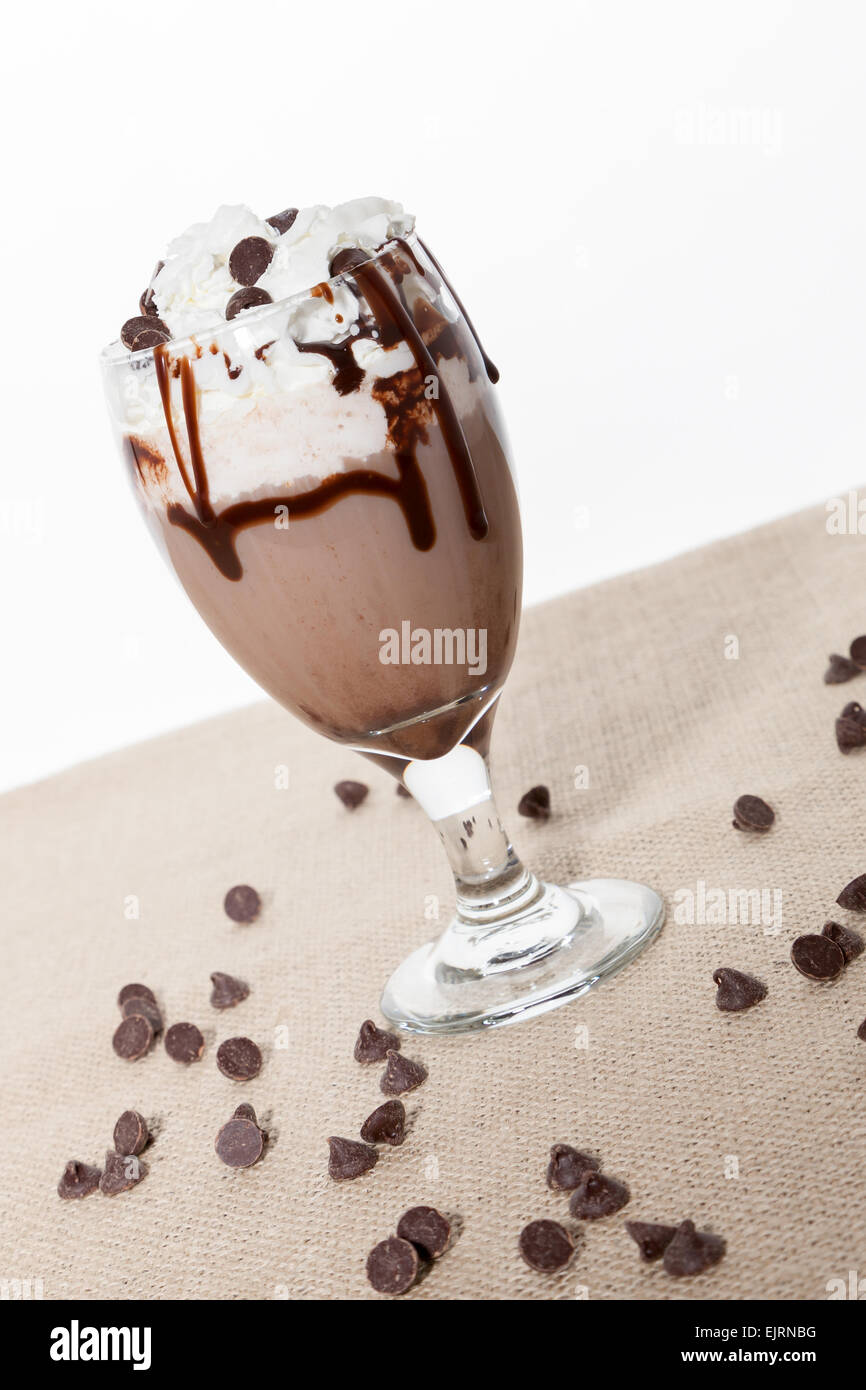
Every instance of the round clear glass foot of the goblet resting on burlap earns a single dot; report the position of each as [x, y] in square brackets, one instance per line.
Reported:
[555, 950]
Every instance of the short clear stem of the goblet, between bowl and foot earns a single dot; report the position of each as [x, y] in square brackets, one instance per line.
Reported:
[491, 882]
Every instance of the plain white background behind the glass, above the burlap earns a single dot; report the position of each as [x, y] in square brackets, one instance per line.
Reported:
[653, 211]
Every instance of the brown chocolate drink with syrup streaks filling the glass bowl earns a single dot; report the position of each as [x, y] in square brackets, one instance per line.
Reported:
[422, 536]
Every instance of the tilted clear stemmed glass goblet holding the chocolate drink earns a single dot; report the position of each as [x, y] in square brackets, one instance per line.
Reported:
[345, 519]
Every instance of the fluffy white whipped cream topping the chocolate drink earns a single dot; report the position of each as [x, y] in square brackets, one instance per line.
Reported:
[269, 414]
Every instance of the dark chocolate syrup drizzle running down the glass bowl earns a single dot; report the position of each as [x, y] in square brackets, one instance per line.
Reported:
[391, 320]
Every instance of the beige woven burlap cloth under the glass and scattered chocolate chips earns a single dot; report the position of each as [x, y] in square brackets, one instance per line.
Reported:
[753, 1124]
